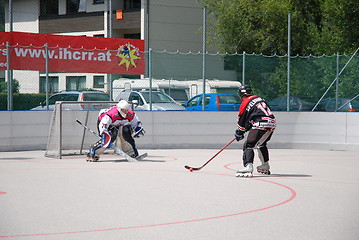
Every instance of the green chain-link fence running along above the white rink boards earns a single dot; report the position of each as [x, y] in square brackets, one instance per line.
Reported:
[311, 78]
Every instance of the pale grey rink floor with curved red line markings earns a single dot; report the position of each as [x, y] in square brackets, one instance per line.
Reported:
[311, 194]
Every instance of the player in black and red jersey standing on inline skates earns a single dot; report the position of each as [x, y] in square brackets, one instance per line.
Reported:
[256, 118]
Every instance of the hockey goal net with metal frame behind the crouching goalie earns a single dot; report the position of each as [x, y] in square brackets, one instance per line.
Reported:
[68, 137]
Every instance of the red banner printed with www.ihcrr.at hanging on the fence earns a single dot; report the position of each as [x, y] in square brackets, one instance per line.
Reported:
[72, 53]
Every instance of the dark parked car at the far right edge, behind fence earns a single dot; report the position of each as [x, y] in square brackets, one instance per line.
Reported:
[344, 104]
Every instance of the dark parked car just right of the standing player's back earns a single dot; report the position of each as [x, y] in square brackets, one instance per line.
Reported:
[295, 104]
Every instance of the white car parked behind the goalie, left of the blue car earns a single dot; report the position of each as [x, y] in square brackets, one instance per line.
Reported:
[141, 100]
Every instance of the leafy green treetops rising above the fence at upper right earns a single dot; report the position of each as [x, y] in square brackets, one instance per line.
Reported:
[317, 26]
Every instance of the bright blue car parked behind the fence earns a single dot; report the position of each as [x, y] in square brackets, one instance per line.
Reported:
[214, 102]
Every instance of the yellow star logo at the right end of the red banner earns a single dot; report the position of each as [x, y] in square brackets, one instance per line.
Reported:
[128, 55]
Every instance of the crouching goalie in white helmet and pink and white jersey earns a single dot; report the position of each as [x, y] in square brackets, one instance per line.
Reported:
[117, 122]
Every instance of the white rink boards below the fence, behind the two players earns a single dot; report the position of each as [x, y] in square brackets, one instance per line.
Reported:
[28, 130]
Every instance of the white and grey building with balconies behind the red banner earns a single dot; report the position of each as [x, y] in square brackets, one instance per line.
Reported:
[169, 25]
